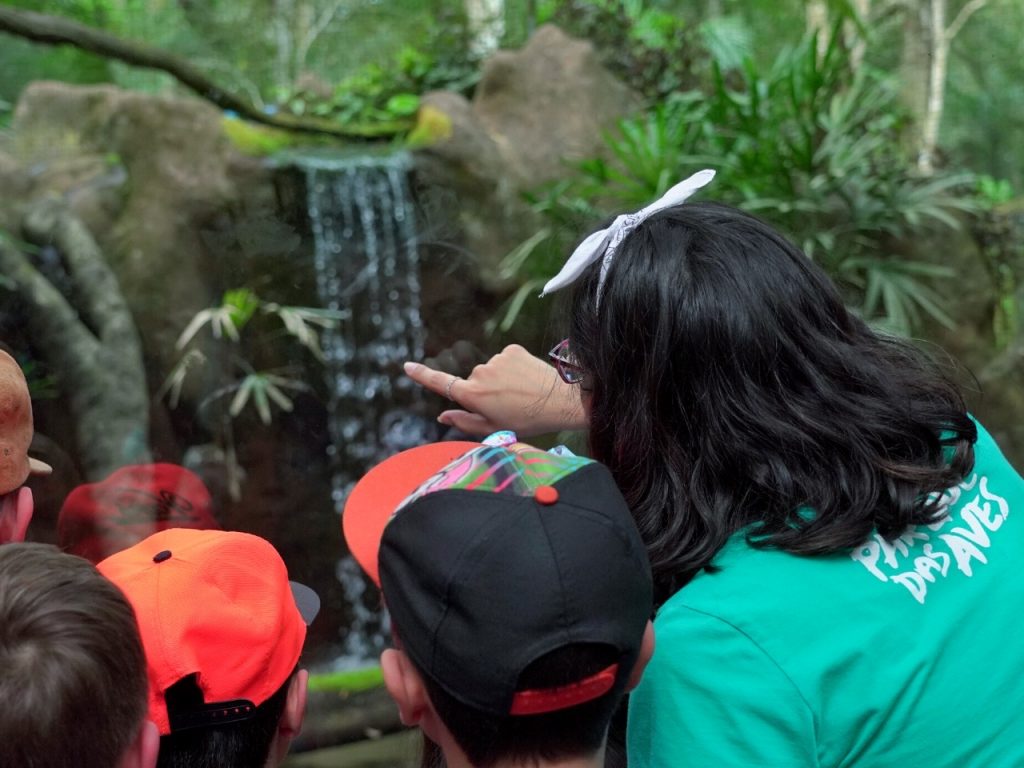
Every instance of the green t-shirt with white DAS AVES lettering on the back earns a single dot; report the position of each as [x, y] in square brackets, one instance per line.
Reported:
[910, 654]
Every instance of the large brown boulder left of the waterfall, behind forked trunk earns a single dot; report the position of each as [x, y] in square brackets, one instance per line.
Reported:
[145, 175]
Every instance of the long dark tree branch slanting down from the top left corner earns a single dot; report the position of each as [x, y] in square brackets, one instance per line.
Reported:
[57, 31]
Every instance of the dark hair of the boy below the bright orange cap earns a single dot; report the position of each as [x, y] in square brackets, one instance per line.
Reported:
[242, 744]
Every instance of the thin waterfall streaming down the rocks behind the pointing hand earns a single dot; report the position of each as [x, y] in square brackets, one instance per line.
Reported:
[367, 267]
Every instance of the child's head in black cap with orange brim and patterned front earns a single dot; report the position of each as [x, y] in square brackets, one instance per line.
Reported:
[520, 593]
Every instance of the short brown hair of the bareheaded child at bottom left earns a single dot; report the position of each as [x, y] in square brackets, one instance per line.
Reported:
[73, 687]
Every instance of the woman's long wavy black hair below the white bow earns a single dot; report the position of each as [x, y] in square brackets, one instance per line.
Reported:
[734, 391]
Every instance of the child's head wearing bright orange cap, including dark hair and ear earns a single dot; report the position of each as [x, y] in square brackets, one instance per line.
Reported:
[224, 629]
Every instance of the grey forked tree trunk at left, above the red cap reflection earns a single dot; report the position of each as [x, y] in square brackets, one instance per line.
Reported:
[94, 346]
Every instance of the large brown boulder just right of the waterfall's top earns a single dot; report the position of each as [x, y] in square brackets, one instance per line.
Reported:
[535, 111]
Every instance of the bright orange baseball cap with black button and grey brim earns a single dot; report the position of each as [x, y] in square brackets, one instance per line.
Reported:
[218, 606]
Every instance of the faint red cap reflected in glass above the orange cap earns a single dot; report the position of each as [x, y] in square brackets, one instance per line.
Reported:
[135, 502]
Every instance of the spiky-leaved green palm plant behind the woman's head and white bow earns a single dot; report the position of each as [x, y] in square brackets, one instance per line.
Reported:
[812, 147]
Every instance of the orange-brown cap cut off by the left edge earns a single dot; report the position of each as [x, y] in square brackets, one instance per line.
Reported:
[16, 429]
